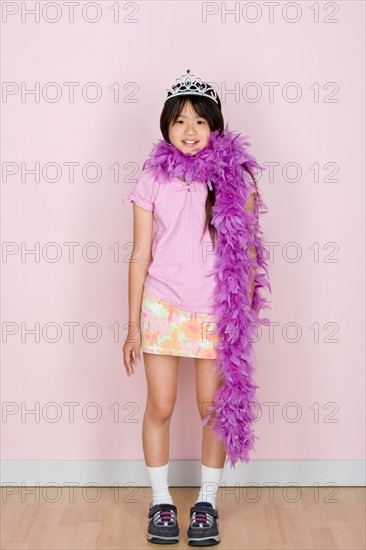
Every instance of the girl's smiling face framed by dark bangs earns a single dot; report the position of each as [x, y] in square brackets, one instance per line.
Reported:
[190, 132]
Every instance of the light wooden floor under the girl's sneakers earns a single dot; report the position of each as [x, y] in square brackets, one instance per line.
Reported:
[253, 519]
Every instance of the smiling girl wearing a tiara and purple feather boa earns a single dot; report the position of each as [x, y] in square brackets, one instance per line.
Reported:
[193, 292]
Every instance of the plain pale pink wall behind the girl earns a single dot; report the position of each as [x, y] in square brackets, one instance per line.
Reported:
[316, 212]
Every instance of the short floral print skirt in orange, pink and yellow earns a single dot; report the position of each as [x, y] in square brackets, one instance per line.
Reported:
[168, 330]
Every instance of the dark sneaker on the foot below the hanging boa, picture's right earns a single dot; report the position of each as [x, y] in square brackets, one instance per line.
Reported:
[204, 525]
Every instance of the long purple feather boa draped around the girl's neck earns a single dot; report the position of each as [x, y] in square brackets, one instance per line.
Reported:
[237, 318]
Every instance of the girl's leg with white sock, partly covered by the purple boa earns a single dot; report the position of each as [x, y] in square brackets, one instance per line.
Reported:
[208, 380]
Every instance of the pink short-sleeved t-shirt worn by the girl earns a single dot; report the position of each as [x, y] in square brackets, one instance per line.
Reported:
[181, 268]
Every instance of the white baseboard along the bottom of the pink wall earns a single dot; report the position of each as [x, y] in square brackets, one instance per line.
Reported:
[182, 473]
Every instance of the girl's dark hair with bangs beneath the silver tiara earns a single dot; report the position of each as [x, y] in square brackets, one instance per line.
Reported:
[209, 110]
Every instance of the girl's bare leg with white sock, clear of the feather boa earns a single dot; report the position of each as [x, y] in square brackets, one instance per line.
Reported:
[162, 376]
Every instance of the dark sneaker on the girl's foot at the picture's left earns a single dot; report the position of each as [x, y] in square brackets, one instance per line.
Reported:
[163, 524]
